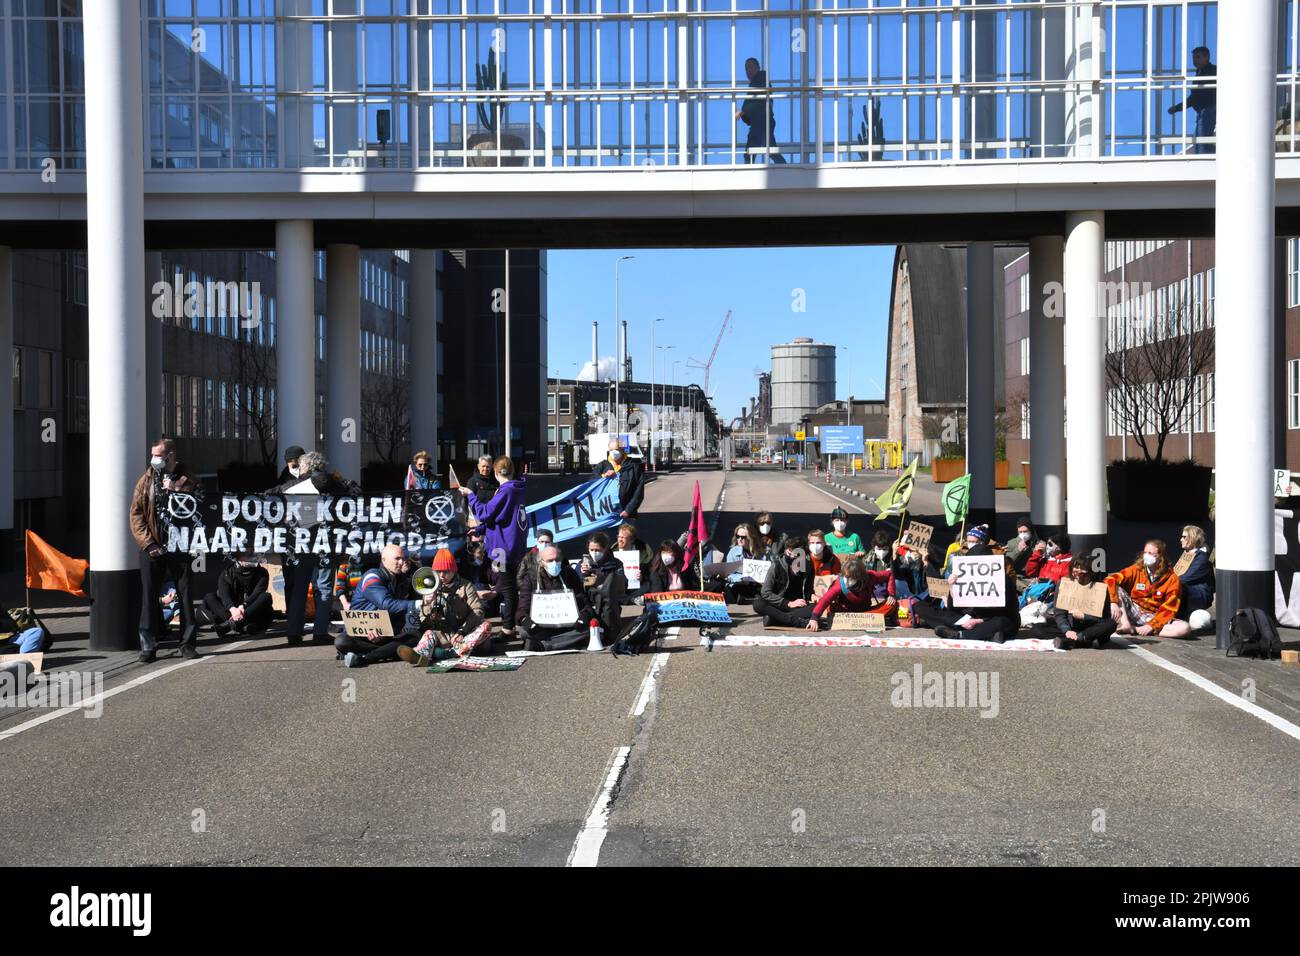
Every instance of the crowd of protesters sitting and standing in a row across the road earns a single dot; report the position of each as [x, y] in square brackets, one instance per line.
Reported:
[795, 579]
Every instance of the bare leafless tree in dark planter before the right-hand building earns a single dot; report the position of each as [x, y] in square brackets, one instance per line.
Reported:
[1155, 379]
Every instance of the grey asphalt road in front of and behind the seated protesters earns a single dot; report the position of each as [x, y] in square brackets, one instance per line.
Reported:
[263, 754]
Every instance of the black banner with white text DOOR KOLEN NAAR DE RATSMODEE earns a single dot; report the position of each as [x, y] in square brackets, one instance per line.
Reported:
[309, 525]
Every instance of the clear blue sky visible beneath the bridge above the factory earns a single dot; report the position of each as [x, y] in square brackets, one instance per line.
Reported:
[847, 293]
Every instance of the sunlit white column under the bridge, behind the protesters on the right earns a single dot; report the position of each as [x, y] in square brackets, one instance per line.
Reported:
[1086, 379]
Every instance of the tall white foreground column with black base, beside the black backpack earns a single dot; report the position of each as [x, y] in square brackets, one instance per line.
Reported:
[1245, 349]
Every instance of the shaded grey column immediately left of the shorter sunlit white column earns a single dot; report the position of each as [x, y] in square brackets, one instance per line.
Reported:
[1047, 386]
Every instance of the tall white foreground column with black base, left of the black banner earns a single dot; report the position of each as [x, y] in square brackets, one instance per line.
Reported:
[115, 220]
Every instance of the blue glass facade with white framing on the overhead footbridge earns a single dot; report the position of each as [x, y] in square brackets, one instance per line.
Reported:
[630, 84]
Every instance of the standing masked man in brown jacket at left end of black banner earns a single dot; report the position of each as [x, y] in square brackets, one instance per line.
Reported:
[163, 475]
